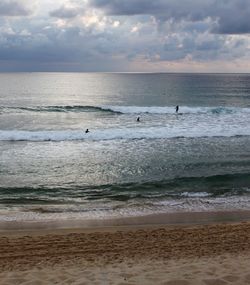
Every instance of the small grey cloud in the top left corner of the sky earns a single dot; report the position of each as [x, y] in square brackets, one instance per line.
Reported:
[13, 8]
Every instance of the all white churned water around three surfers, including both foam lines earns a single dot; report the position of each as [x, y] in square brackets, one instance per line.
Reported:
[156, 122]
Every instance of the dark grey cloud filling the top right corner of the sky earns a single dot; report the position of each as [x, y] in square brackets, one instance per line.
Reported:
[231, 16]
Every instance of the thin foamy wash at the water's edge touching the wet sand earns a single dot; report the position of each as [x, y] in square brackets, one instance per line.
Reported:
[131, 210]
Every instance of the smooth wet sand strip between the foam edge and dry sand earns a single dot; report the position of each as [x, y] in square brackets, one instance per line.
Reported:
[151, 220]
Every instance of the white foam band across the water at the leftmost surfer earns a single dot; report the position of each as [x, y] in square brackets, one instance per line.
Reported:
[127, 133]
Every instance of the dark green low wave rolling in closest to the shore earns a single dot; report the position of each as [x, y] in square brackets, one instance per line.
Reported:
[176, 188]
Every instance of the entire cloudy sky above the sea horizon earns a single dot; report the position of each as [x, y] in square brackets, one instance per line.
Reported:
[125, 35]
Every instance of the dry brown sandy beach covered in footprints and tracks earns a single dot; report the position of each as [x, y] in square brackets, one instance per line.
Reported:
[214, 253]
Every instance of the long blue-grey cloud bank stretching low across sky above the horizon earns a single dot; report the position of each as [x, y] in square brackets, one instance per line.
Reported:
[88, 49]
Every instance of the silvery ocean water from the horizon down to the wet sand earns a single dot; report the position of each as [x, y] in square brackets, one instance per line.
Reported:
[196, 160]
